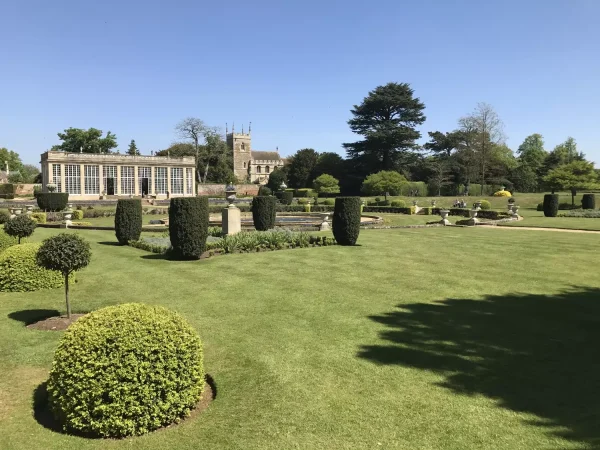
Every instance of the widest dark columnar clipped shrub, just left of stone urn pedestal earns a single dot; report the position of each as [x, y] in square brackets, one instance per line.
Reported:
[188, 227]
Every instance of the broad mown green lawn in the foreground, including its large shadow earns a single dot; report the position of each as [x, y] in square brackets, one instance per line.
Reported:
[438, 338]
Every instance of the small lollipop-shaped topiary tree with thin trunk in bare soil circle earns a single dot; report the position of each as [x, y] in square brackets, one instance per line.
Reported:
[66, 253]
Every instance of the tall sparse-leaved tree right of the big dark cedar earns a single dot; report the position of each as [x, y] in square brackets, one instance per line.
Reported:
[487, 128]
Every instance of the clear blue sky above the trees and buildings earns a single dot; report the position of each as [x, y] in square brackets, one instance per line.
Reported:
[293, 68]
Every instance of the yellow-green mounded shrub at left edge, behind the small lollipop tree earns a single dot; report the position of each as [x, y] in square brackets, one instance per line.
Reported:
[19, 271]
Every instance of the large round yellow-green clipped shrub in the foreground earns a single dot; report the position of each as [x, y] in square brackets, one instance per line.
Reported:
[126, 370]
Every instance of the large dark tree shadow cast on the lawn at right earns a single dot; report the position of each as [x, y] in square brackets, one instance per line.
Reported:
[532, 353]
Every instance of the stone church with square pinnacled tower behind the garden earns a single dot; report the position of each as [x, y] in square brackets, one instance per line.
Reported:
[251, 165]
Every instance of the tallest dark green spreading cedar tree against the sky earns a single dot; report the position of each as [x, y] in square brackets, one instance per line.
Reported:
[387, 119]
